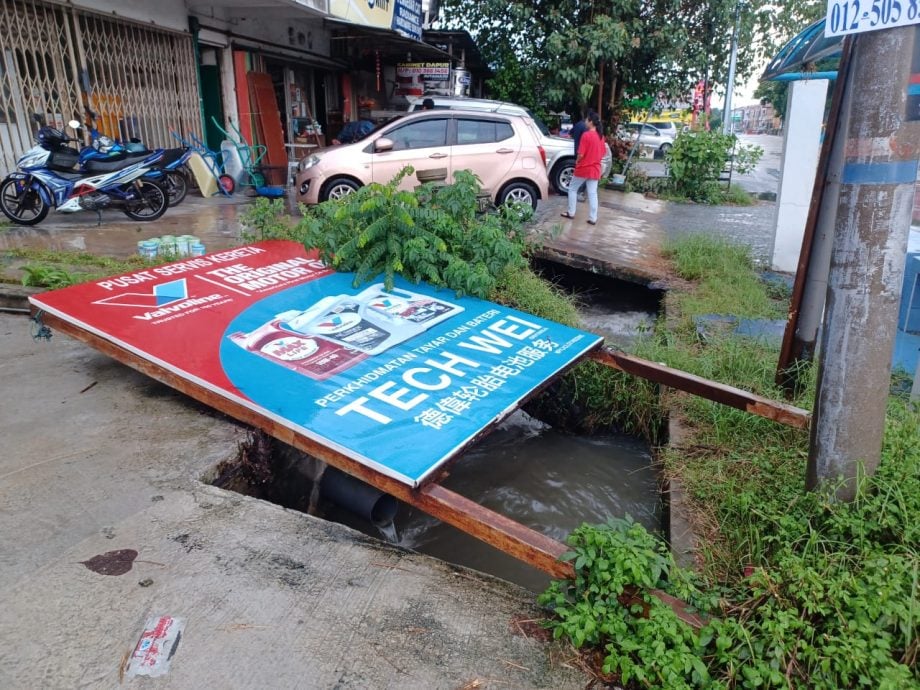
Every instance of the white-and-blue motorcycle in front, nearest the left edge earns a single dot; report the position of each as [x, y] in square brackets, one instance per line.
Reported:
[44, 179]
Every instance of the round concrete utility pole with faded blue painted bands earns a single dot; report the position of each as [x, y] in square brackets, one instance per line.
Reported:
[867, 262]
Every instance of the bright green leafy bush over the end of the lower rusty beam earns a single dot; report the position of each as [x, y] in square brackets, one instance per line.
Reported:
[644, 642]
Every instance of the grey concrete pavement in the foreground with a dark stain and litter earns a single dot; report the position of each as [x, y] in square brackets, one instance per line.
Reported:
[99, 458]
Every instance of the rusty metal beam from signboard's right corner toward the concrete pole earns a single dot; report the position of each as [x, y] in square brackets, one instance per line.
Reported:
[704, 388]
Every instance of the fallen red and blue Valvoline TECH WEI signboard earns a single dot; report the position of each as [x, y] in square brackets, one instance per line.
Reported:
[399, 380]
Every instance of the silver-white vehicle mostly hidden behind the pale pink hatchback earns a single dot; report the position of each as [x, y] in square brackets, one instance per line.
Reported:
[560, 151]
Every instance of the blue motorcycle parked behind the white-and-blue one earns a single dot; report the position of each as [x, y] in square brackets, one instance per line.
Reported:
[104, 155]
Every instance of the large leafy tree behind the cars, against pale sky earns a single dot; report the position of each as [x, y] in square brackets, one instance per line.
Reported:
[594, 53]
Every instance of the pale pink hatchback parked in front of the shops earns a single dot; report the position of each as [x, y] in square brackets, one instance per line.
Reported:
[503, 150]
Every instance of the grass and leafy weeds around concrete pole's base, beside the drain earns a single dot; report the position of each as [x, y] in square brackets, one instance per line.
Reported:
[805, 591]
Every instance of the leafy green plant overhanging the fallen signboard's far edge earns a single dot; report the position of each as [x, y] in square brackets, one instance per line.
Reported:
[433, 233]
